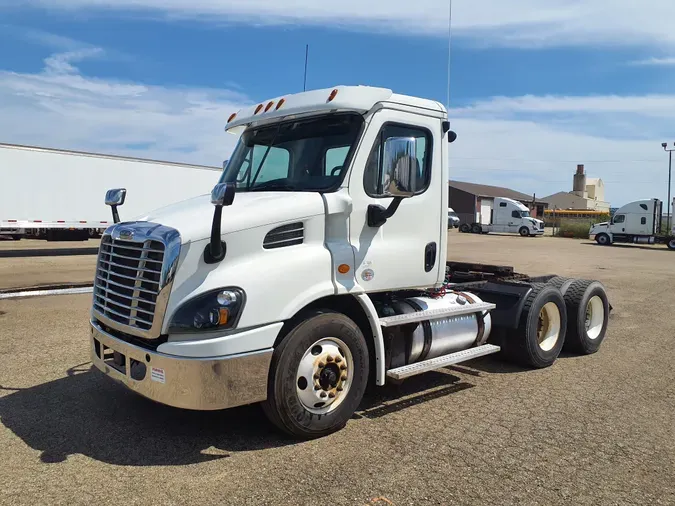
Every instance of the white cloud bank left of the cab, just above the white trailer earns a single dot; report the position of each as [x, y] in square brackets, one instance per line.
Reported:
[60, 107]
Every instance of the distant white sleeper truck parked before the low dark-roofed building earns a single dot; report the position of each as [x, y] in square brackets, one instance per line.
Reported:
[506, 216]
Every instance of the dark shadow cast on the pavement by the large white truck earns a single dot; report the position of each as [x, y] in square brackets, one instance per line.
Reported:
[85, 413]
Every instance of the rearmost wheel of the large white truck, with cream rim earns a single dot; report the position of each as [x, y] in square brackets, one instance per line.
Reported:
[588, 315]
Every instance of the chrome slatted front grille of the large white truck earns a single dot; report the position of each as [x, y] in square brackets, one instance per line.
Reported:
[128, 281]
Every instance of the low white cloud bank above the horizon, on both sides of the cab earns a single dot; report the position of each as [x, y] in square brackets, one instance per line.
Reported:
[530, 143]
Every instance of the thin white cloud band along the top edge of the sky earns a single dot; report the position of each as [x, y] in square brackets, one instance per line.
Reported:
[516, 22]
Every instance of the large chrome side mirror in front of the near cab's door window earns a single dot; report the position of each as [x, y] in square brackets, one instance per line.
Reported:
[399, 167]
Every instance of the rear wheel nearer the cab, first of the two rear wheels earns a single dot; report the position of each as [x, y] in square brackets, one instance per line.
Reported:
[524, 345]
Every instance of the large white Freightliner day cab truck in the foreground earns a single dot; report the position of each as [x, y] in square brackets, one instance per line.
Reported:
[317, 266]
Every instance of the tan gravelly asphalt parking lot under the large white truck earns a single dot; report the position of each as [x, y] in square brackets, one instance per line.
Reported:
[590, 430]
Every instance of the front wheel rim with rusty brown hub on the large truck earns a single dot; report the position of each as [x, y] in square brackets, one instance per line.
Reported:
[325, 375]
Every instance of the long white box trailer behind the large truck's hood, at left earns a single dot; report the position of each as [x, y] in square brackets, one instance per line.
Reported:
[58, 194]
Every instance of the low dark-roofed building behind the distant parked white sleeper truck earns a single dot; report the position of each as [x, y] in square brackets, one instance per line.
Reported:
[467, 199]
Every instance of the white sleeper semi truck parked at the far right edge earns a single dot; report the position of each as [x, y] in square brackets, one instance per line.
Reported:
[639, 222]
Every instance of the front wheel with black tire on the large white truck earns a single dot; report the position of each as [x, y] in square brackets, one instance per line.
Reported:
[288, 404]
